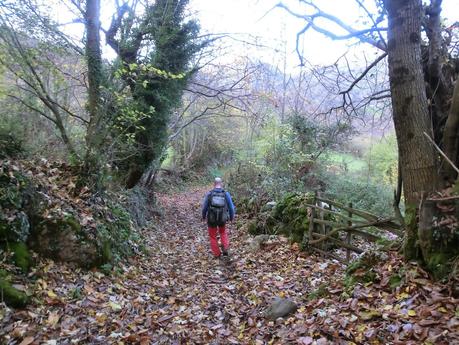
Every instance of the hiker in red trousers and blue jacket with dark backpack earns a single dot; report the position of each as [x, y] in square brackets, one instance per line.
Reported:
[218, 208]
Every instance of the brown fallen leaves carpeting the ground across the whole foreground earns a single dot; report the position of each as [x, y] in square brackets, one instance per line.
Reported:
[177, 293]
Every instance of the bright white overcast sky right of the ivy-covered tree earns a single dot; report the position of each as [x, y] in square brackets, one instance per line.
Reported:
[275, 26]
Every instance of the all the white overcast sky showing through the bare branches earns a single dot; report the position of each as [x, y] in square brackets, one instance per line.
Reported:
[246, 20]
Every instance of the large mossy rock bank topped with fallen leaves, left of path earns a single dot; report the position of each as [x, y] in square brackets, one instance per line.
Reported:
[38, 212]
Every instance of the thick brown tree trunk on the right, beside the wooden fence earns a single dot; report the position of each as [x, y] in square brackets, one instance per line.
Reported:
[410, 110]
